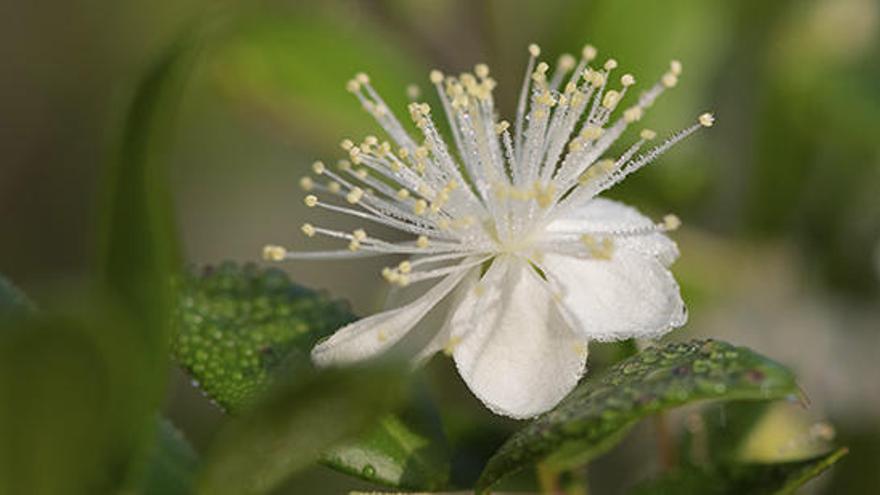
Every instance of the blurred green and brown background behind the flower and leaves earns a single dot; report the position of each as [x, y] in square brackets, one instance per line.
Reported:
[780, 200]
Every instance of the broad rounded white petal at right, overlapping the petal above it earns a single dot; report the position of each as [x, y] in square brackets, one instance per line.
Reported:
[630, 295]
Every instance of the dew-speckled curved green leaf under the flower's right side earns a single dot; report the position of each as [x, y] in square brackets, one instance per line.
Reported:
[600, 411]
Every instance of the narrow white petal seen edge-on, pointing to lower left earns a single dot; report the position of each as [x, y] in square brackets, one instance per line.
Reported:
[373, 335]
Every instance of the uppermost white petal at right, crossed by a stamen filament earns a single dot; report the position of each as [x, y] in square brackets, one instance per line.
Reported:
[605, 214]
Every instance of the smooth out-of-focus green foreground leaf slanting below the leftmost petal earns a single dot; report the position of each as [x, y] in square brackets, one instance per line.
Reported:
[288, 430]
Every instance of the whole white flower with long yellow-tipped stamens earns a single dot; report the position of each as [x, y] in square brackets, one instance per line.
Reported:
[526, 264]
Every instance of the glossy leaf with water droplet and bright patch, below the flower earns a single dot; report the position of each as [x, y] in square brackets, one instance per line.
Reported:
[405, 452]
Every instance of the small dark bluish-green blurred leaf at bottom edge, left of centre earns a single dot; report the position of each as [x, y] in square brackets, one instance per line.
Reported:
[172, 464]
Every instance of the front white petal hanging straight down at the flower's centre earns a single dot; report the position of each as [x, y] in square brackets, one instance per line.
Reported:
[517, 354]
